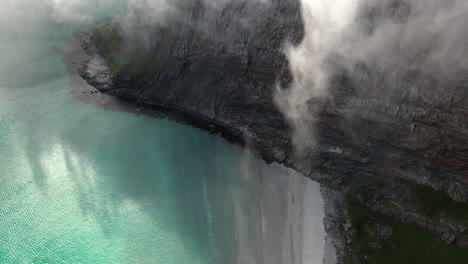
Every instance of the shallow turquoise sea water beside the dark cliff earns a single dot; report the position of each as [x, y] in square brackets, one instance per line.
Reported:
[79, 184]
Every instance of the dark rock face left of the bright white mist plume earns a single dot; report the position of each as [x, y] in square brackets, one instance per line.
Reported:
[225, 64]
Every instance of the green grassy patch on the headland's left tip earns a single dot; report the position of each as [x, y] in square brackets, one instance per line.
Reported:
[129, 59]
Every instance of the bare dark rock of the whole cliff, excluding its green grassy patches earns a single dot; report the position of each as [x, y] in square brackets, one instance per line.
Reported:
[373, 130]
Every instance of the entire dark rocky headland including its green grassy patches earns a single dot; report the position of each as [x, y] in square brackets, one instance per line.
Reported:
[392, 152]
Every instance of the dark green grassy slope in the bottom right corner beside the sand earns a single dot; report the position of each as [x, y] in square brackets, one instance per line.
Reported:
[373, 242]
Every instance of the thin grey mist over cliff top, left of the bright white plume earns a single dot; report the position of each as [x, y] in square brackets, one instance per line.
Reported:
[145, 17]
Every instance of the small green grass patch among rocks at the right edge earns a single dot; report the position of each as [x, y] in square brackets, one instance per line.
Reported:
[435, 204]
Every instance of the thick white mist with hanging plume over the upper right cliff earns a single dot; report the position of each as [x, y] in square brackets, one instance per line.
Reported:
[389, 48]
